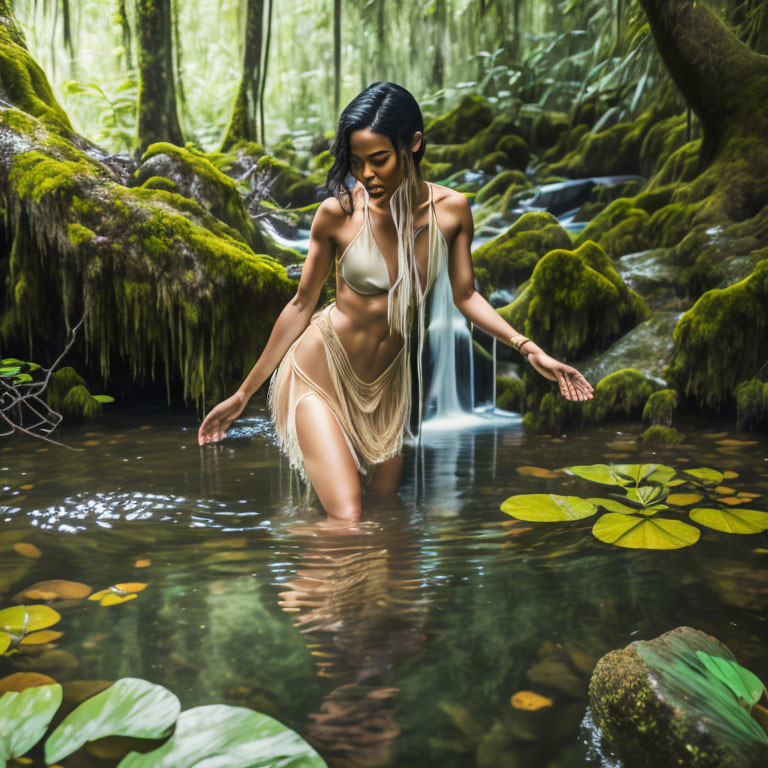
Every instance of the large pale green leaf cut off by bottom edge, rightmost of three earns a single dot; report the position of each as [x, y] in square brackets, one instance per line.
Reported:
[221, 736]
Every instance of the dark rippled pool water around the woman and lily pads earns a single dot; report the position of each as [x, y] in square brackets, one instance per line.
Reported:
[398, 645]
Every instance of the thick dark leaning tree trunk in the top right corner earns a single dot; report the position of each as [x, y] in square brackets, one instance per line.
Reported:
[722, 80]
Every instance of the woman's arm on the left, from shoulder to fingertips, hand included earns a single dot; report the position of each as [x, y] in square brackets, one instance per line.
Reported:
[290, 324]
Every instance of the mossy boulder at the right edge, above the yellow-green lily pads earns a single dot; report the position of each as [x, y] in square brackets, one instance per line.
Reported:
[722, 340]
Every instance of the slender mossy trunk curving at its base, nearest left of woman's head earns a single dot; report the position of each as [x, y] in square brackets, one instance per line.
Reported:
[243, 125]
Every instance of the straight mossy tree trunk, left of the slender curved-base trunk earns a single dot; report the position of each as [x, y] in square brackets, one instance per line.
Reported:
[158, 120]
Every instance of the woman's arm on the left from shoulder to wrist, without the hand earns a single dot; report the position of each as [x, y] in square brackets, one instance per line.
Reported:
[297, 313]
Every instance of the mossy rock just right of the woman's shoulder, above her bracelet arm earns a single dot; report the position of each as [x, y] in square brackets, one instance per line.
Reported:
[511, 257]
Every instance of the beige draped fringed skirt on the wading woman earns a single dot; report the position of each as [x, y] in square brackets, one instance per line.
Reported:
[373, 416]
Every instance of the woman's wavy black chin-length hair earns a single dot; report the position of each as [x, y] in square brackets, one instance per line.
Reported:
[383, 107]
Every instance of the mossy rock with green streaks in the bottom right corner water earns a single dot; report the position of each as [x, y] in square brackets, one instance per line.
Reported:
[658, 705]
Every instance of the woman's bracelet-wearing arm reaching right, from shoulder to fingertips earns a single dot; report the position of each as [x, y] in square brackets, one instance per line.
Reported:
[573, 386]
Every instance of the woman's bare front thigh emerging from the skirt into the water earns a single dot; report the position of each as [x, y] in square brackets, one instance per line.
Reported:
[327, 458]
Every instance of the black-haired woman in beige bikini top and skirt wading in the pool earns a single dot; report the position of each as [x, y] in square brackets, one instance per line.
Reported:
[341, 396]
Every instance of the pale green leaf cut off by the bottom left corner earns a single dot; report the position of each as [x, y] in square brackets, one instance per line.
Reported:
[24, 716]
